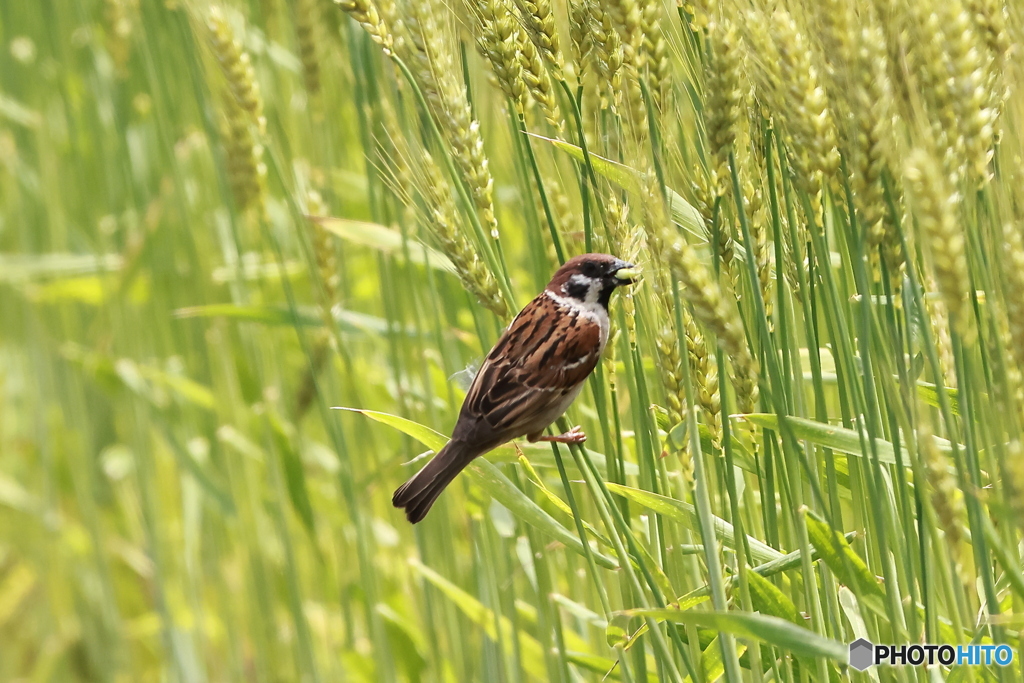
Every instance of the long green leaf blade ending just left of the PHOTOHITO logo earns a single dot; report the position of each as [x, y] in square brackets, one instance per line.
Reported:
[761, 628]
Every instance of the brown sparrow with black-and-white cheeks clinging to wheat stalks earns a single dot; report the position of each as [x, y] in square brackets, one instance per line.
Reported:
[532, 375]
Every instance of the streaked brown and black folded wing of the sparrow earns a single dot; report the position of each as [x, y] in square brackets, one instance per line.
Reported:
[544, 356]
